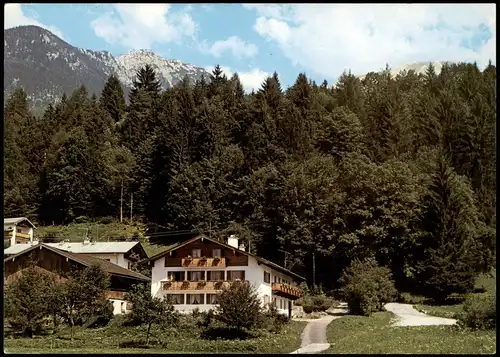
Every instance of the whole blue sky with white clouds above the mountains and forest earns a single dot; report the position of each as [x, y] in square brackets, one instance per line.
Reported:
[254, 40]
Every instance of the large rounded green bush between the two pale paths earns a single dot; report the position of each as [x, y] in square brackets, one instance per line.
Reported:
[367, 286]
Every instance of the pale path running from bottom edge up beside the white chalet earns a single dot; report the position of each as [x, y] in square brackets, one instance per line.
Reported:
[314, 335]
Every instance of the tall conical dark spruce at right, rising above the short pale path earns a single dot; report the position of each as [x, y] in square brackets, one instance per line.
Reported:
[450, 221]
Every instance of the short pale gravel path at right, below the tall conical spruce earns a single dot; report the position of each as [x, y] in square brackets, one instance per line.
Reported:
[408, 316]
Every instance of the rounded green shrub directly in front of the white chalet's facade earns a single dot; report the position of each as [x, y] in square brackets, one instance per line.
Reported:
[239, 306]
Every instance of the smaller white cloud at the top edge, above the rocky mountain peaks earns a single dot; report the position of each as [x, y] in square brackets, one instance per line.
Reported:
[139, 26]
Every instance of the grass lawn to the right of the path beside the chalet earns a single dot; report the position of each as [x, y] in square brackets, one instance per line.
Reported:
[374, 335]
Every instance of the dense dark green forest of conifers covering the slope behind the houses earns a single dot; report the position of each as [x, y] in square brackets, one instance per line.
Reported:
[400, 168]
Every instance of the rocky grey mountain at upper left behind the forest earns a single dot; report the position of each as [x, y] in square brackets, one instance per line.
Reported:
[45, 66]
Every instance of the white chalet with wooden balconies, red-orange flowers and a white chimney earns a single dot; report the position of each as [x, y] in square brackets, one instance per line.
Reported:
[193, 272]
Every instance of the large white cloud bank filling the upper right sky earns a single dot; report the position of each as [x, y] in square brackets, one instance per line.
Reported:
[329, 38]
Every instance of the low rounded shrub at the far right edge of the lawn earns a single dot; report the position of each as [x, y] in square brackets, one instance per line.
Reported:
[479, 312]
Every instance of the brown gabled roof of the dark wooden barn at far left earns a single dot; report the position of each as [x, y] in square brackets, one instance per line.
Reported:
[87, 261]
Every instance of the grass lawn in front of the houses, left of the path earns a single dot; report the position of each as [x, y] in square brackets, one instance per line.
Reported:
[109, 340]
